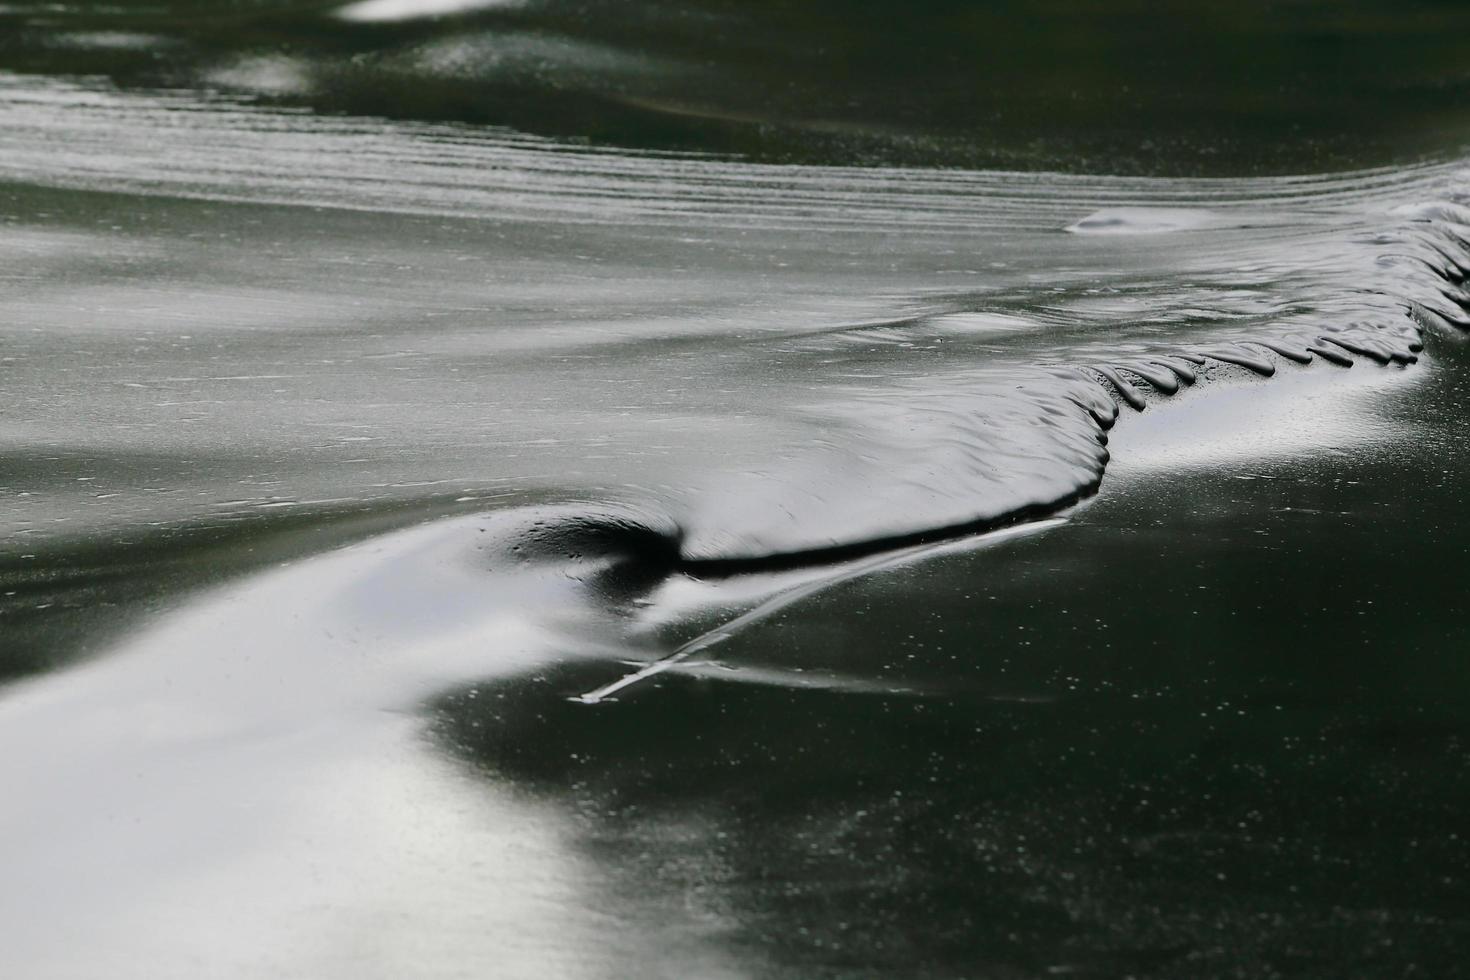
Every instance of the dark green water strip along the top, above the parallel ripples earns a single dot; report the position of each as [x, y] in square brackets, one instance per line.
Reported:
[1140, 87]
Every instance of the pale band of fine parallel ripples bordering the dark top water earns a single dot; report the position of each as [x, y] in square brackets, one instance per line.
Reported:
[89, 134]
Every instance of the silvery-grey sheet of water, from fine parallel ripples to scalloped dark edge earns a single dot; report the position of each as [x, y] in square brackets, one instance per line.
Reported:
[578, 327]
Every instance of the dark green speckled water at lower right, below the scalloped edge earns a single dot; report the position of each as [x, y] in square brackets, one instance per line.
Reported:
[1259, 771]
